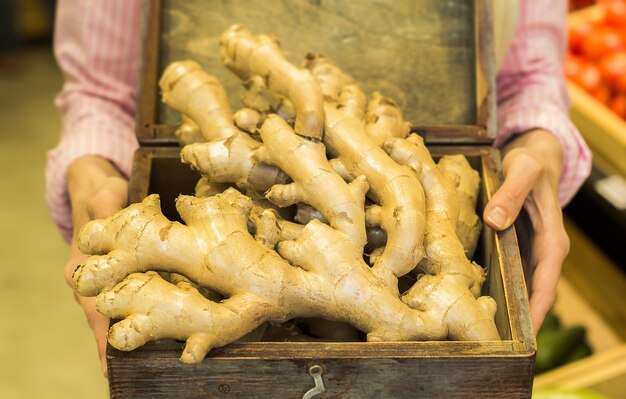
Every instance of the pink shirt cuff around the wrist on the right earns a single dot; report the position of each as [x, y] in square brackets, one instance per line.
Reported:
[576, 153]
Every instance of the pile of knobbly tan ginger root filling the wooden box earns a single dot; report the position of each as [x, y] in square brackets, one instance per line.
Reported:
[315, 203]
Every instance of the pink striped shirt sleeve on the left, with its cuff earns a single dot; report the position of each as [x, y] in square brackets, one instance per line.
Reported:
[96, 46]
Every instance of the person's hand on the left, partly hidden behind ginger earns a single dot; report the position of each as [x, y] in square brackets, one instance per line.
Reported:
[97, 190]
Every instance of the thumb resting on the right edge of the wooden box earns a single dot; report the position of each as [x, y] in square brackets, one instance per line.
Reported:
[520, 178]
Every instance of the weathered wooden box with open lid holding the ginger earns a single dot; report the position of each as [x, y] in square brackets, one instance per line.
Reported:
[435, 59]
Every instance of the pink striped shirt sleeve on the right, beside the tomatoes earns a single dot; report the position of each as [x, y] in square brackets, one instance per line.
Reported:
[532, 92]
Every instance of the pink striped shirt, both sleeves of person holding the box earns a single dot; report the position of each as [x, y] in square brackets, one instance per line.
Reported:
[97, 47]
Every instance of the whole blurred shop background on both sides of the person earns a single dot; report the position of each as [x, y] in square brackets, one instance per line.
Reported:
[46, 349]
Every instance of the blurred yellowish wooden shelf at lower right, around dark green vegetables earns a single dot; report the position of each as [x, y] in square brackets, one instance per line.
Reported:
[591, 294]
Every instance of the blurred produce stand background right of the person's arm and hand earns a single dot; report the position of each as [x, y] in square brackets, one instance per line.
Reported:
[581, 346]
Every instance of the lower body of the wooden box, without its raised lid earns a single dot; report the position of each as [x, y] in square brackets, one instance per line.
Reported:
[499, 369]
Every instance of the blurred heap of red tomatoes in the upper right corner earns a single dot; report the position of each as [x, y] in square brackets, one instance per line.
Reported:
[596, 60]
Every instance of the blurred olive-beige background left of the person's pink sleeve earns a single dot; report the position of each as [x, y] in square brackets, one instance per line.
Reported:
[46, 349]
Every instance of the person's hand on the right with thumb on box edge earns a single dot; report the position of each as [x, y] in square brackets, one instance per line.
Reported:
[532, 165]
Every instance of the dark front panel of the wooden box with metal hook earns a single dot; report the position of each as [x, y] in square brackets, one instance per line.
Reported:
[343, 378]
